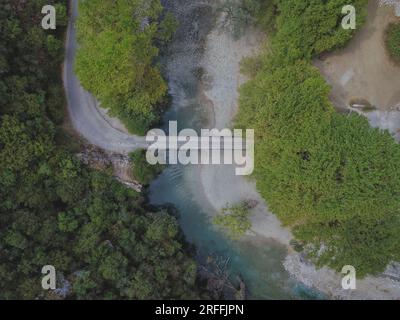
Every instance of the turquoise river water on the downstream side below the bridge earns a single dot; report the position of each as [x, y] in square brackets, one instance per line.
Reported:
[257, 261]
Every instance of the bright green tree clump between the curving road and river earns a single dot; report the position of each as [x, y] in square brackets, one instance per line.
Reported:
[118, 47]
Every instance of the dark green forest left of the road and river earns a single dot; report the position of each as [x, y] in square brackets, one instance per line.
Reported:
[101, 237]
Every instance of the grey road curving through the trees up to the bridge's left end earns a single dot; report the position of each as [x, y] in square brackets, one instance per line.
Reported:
[86, 117]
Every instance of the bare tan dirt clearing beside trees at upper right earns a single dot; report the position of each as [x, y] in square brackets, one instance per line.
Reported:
[363, 69]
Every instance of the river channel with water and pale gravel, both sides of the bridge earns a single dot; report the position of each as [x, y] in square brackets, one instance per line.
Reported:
[202, 69]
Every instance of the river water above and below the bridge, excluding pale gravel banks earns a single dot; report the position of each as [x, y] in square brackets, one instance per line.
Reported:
[256, 260]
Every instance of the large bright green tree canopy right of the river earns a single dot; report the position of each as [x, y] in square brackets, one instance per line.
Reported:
[330, 177]
